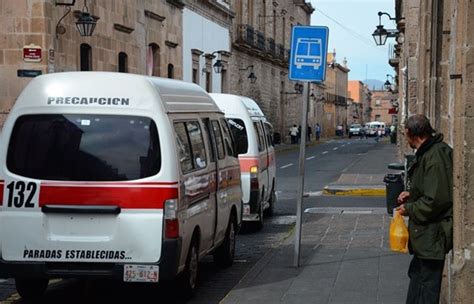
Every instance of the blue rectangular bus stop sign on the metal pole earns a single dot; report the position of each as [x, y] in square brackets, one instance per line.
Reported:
[308, 57]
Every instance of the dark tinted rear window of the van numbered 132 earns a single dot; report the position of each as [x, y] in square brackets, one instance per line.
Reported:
[80, 147]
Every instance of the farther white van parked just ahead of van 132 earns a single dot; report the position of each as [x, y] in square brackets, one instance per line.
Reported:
[253, 136]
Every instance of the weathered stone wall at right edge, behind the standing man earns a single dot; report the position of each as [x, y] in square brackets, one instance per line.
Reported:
[435, 65]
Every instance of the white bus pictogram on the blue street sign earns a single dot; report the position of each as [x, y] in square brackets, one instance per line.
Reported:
[308, 53]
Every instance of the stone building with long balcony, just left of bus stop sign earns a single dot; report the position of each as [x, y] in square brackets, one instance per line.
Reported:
[260, 45]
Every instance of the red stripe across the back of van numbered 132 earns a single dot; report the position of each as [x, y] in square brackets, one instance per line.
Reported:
[127, 197]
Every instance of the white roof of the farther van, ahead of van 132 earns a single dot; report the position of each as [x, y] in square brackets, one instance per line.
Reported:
[234, 104]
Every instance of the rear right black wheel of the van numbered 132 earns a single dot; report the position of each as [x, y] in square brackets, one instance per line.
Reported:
[188, 279]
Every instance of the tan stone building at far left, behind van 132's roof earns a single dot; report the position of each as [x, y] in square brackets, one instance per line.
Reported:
[141, 37]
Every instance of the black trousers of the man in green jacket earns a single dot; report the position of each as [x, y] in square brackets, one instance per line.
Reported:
[425, 281]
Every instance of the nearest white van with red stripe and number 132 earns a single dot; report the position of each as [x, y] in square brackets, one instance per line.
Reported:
[115, 175]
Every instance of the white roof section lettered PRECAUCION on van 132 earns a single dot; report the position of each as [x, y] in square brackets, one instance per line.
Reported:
[108, 89]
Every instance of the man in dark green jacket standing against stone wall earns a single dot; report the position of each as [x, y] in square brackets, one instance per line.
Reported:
[429, 205]
